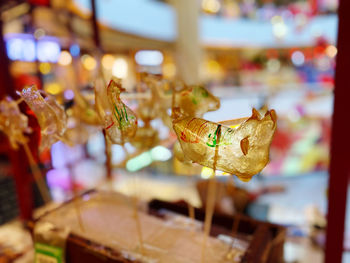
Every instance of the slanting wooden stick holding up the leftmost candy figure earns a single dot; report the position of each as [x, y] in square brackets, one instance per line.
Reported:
[37, 174]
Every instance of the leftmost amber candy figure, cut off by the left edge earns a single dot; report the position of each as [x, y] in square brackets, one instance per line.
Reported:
[13, 123]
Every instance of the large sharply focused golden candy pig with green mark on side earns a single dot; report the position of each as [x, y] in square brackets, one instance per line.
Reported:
[243, 151]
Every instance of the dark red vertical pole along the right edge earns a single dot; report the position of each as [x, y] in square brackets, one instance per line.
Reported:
[340, 144]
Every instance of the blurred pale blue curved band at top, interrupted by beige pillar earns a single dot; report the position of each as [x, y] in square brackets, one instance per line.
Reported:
[156, 20]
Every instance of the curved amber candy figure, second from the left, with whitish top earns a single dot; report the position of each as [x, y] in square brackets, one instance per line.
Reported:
[51, 116]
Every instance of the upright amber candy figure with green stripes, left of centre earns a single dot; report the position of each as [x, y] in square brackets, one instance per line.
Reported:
[120, 122]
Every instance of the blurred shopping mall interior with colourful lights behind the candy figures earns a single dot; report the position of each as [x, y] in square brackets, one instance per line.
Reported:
[249, 53]
